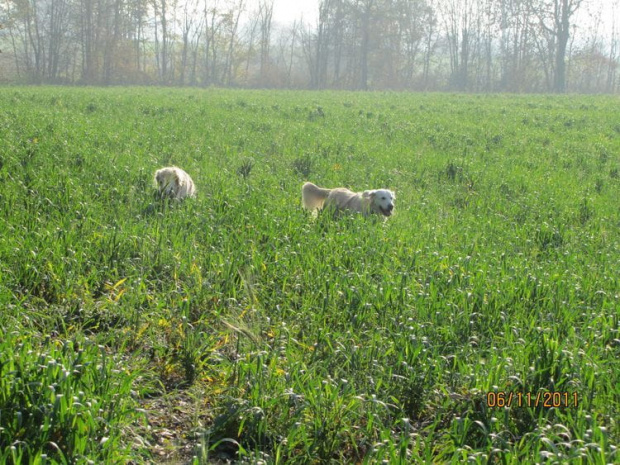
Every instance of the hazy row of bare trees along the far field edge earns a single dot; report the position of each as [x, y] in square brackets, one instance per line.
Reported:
[463, 45]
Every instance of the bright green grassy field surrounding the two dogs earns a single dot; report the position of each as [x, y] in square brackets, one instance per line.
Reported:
[233, 326]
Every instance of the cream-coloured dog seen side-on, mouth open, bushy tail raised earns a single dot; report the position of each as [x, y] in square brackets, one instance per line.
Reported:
[379, 201]
